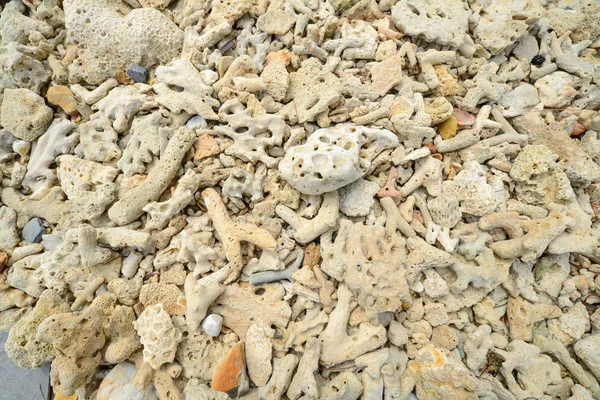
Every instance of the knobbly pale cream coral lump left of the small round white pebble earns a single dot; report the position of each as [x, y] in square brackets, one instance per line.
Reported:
[158, 336]
